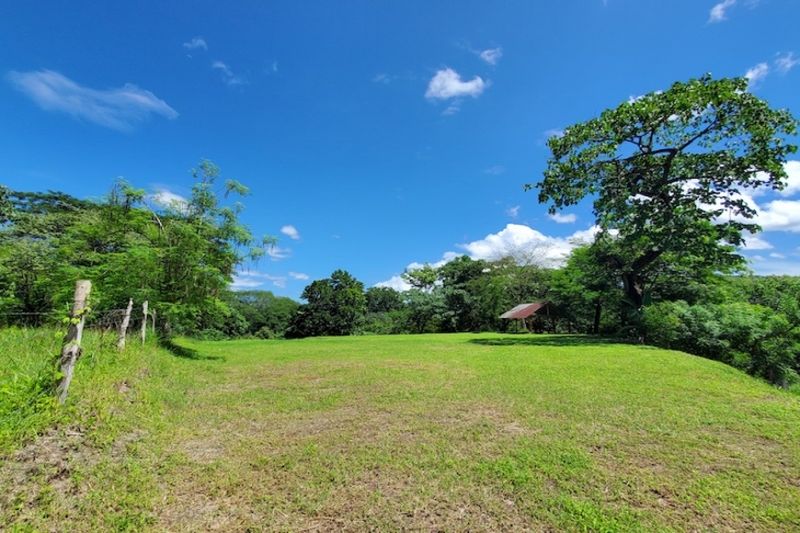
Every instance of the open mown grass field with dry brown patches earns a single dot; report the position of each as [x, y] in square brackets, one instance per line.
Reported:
[428, 432]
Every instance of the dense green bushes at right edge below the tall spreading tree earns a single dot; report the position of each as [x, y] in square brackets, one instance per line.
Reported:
[753, 338]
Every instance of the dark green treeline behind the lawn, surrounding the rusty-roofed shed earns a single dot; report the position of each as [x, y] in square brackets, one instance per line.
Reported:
[750, 322]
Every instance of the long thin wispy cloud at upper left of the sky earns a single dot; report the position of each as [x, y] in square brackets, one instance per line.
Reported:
[119, 109]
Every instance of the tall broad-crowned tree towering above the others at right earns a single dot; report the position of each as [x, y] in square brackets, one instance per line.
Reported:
[665, 171]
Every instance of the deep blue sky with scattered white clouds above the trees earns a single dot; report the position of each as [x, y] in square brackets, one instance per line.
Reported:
[372, 134]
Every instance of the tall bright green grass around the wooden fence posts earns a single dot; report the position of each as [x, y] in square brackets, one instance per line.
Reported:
[28, 370]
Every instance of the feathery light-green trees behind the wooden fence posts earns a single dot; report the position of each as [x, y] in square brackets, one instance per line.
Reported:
[178, 254]
